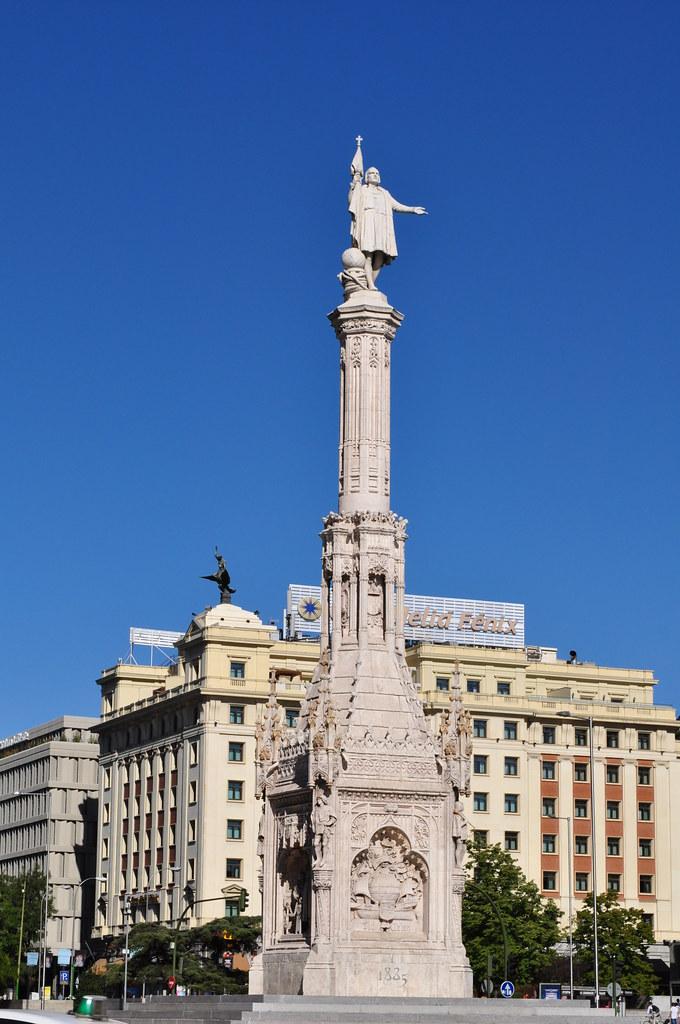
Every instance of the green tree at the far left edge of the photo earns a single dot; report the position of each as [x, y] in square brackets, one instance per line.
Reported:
[12, 899]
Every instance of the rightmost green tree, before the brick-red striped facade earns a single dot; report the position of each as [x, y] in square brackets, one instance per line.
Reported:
[623, 938]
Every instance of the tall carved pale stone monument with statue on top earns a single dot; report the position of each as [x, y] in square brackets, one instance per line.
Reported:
[363, 829]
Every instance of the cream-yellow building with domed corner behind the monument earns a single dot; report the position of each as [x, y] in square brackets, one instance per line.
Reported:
[179, 819]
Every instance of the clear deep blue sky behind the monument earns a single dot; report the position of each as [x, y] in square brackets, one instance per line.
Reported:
[174, 208]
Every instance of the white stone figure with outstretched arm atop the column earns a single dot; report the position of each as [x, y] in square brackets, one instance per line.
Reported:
[372, 209]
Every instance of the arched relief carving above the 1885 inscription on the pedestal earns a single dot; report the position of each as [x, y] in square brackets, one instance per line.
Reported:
[389, 884]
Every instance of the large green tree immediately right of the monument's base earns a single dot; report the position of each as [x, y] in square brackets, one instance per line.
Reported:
[532, 923]
